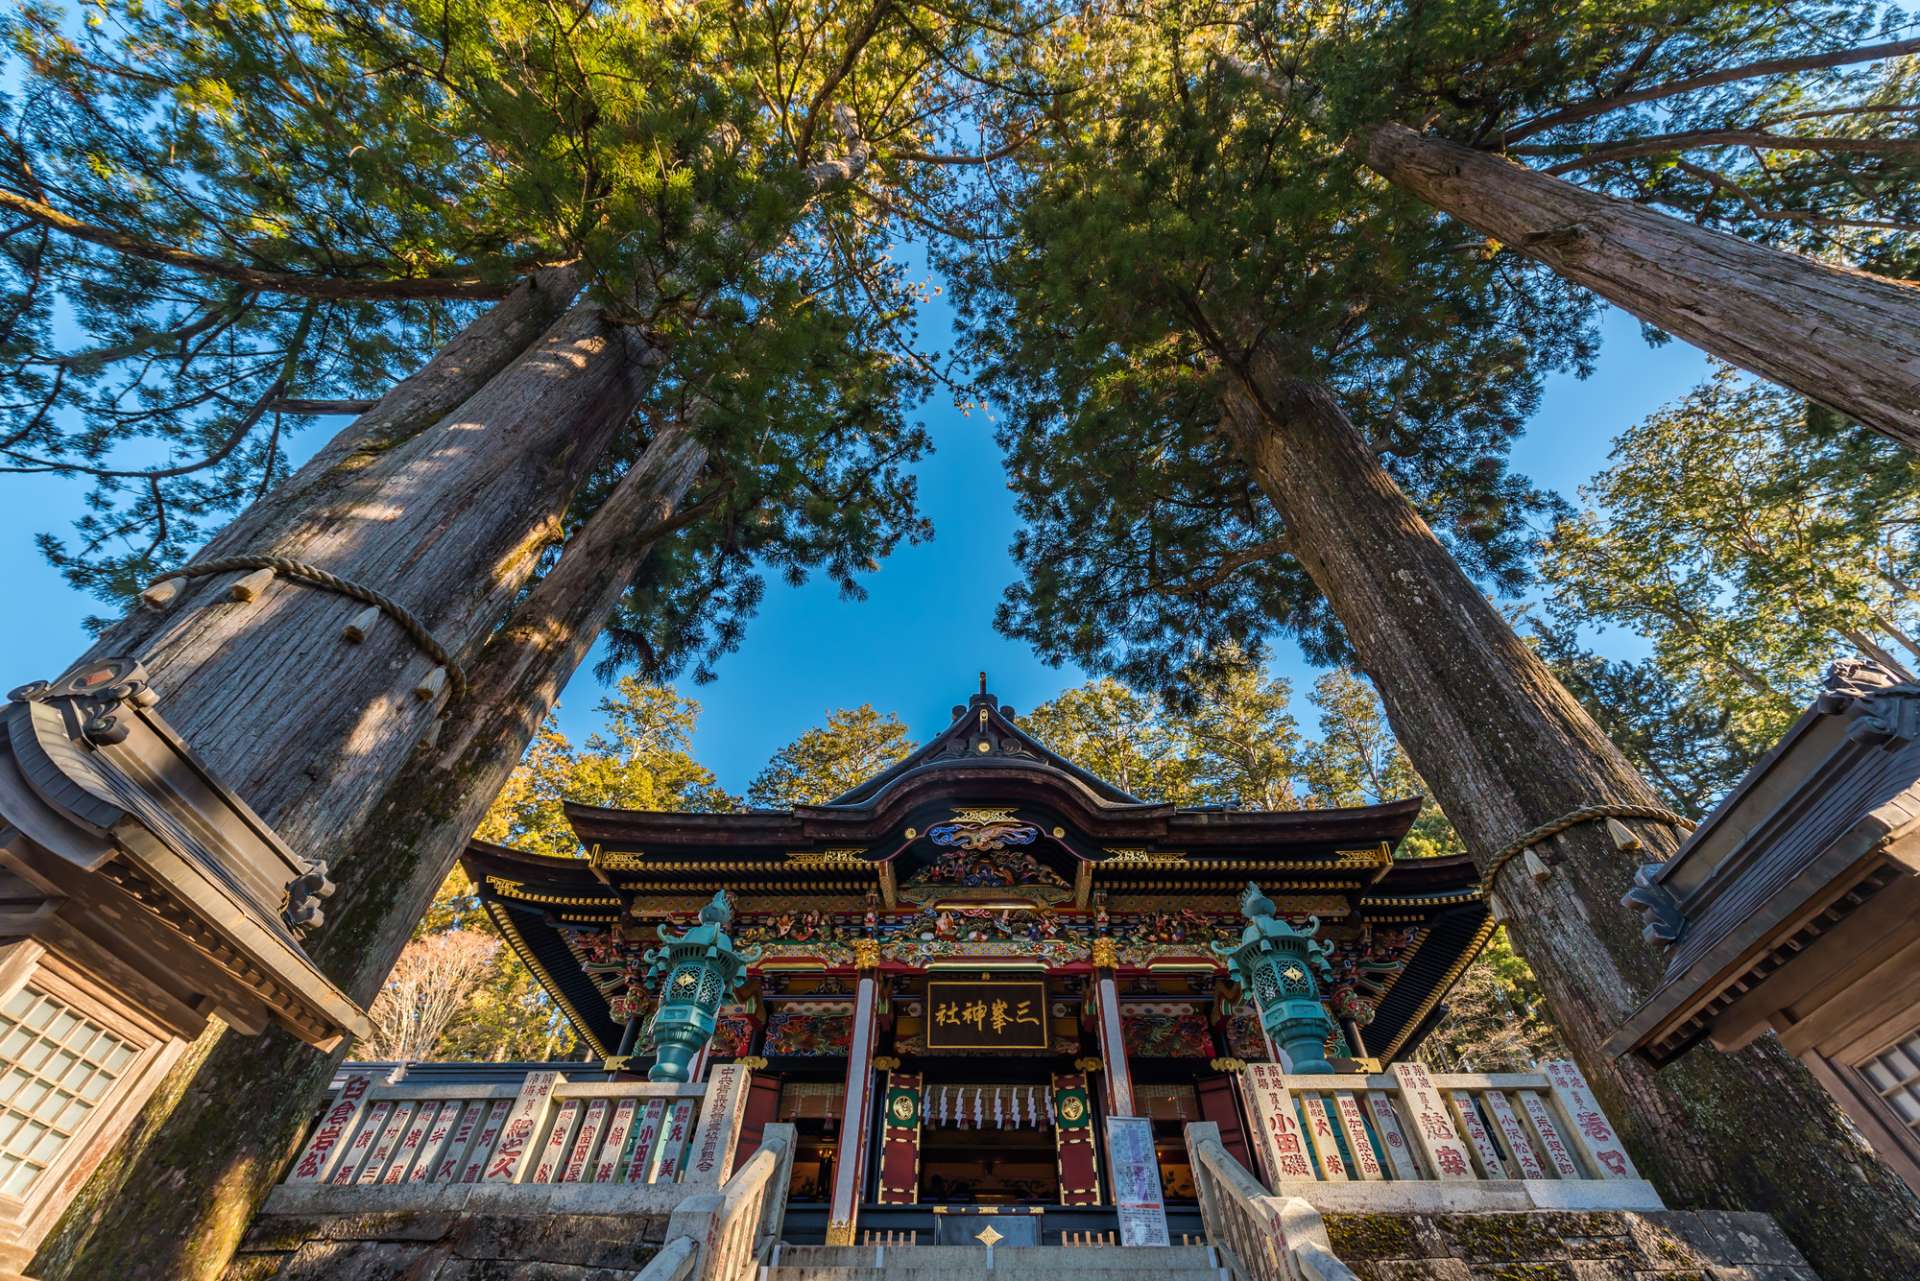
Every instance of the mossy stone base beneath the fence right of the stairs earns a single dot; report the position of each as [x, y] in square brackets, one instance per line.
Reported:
[1564, 1245]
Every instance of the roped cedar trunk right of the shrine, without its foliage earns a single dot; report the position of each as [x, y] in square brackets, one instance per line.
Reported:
[1506, 748]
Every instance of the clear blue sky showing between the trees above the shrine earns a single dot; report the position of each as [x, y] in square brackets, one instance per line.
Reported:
[919, 642]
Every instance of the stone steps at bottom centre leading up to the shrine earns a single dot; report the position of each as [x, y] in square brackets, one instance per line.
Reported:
[955, 1263]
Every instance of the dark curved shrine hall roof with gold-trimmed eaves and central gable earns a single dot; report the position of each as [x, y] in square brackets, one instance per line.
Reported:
[1084, 848]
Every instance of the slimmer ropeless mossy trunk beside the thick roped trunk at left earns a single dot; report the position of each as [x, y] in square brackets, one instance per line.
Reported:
[178, 1194]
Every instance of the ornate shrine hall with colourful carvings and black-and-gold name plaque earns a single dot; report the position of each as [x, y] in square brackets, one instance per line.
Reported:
[955, 975]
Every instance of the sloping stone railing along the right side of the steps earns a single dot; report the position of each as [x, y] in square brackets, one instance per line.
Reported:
[1260, 1238]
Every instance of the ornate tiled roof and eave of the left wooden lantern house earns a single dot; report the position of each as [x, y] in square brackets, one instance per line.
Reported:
[120, 844]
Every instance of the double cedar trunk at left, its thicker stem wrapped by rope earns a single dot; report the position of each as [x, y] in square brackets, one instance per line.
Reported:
[322, 738]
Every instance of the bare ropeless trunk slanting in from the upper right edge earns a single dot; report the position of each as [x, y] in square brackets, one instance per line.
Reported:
[1846, 339]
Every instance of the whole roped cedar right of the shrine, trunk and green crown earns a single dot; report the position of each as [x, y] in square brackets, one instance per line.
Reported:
[1247, 393]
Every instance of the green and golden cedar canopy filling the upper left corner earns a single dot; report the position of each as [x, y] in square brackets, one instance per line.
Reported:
[258, 214]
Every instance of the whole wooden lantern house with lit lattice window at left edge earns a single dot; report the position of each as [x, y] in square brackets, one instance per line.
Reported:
[139, 898]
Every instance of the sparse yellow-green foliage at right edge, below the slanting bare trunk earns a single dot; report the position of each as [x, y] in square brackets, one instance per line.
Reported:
[1750, 541]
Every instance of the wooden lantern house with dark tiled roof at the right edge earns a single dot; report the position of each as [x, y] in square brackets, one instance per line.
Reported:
[1796, 909]
